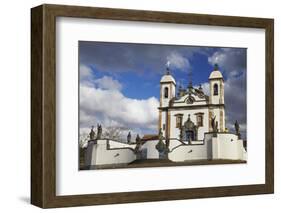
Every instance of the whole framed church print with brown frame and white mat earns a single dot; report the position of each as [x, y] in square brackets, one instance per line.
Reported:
[136, 106]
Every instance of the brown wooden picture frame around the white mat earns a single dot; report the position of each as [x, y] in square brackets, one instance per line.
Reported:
[43, 105]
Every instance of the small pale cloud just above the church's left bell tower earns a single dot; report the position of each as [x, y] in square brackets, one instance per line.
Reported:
[176, 60]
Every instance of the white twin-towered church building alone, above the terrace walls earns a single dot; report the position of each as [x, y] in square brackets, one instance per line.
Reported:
[189, 114]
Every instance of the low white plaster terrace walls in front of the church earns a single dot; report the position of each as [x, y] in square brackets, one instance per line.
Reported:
[224, 146]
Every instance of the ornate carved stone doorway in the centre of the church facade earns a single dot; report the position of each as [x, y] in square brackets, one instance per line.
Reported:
[189, 131]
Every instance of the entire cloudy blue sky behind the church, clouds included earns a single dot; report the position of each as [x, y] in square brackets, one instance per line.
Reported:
[130, 73]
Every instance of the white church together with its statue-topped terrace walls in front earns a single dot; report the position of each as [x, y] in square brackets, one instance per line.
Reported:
[191, 128]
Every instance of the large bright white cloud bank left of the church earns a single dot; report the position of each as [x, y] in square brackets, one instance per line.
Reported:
[112, 108]
